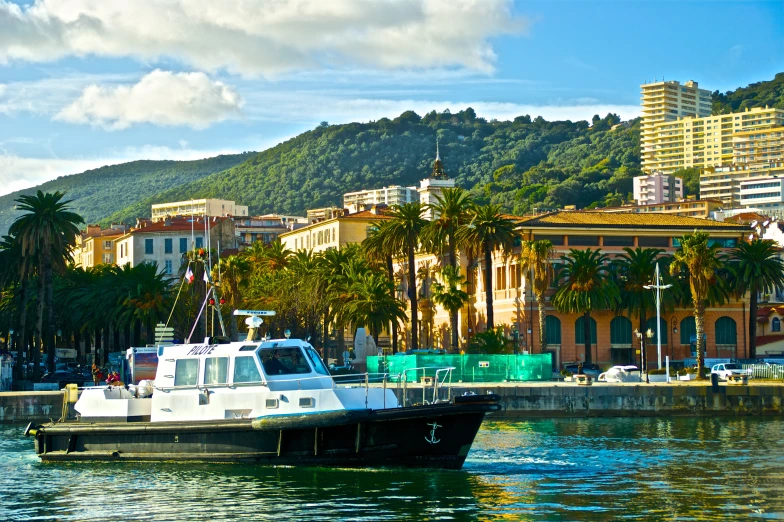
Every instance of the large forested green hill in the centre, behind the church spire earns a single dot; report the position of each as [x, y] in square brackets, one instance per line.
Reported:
[522, 163]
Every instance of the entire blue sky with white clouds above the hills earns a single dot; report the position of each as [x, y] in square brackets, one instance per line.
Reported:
[86, 83]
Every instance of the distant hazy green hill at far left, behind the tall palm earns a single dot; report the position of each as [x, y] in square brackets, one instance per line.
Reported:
[98, 193]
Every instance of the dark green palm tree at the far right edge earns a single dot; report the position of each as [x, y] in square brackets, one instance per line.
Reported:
[756, 268]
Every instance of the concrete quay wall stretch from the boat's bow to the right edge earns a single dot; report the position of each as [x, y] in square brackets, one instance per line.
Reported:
[623, 400]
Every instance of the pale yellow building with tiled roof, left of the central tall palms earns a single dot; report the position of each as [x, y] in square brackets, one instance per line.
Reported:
[334, 232]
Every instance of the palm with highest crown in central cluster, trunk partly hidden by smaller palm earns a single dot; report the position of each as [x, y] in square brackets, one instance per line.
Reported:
[453, 208]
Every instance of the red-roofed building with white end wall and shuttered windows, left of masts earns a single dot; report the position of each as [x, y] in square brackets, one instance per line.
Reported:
[167, 241]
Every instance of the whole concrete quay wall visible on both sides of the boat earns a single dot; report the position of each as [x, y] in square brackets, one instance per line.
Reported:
[534, 399]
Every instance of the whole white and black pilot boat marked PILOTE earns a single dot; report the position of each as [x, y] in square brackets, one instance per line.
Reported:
[268, 402]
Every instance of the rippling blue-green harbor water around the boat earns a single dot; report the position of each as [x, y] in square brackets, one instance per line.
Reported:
[559, 469]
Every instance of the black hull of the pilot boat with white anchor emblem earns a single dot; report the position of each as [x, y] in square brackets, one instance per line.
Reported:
[436, 436]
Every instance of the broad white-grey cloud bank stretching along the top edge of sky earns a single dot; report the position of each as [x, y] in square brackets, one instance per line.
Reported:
[259, 37]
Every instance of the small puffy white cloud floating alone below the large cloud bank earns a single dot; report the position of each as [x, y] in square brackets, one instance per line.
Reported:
[160, 98]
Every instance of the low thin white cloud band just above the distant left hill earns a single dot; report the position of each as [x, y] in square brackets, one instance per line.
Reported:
[17, 173]
